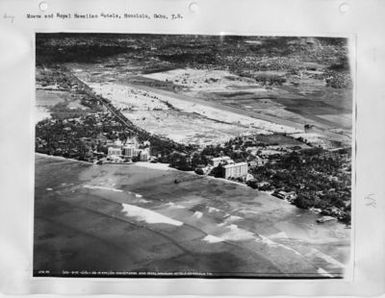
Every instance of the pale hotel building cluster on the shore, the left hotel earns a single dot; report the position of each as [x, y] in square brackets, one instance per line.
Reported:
[131, 150]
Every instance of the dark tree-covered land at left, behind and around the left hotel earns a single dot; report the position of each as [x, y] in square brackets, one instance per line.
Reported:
[84, 133]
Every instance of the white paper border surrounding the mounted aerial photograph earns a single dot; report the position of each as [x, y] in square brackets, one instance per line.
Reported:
[306, 18]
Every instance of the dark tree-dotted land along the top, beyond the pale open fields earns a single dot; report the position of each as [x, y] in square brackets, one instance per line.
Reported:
[242, 55]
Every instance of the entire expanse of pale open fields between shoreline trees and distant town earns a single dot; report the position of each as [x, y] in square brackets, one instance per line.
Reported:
[221, 96]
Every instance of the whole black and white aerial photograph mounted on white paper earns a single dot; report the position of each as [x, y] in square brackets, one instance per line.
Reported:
[192, 156]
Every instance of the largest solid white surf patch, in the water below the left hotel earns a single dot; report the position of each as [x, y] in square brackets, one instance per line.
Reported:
[148, 216]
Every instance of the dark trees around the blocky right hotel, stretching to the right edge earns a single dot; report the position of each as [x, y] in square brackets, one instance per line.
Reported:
[319, 178]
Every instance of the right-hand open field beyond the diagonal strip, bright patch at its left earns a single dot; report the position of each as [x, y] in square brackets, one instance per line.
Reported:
[309, 102]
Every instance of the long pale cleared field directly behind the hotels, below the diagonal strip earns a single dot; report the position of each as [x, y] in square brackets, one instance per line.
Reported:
[177, 116]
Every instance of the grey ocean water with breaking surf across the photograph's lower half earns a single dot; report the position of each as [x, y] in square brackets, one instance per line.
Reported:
[135, 218]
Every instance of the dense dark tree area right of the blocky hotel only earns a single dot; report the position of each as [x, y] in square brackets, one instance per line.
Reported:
[321, 179]
